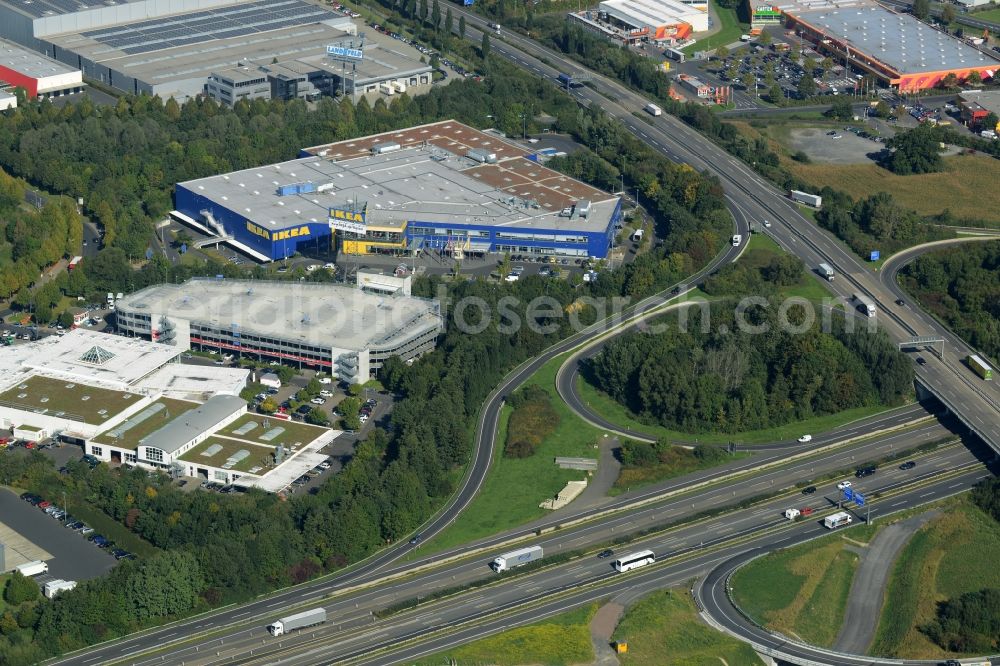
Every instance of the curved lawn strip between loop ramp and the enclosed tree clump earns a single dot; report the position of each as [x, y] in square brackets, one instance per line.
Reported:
[617, 413]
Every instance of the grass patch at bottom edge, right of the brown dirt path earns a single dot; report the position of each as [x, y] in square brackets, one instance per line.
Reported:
[667, 623]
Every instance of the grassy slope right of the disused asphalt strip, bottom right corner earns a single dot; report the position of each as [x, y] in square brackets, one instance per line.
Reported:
[955, 553]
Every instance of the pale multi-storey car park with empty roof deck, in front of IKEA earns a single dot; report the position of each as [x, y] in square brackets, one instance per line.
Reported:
[345, 331]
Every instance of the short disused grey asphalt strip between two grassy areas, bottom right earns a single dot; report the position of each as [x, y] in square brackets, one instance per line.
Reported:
[864, 602]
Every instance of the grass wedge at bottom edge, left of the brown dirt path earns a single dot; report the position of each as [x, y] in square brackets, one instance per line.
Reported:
[562, 639]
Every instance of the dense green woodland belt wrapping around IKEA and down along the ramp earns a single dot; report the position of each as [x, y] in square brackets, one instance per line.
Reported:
[218, 549]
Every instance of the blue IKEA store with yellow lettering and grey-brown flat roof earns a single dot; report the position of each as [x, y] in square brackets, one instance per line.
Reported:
[443, 186]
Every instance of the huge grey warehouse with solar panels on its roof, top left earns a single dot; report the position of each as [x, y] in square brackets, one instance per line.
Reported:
[171, 47]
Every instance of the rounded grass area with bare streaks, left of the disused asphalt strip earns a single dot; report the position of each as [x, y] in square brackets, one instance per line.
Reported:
[802, 591]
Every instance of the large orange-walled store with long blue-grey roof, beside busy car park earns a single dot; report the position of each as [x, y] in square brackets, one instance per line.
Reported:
[897, 49]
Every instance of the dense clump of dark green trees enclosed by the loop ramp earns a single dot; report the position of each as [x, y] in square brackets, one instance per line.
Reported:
[726, 380]
